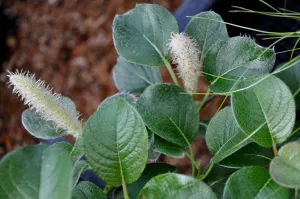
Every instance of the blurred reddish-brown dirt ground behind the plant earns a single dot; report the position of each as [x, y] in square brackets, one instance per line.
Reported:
[69, 45]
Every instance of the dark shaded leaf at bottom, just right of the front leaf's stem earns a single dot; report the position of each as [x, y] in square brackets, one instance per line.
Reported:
[150, 171]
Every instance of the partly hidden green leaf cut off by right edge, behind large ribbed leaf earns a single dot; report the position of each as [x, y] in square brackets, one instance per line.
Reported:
[291, 77]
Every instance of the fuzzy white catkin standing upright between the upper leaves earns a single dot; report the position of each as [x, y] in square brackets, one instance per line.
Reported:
[185, 54]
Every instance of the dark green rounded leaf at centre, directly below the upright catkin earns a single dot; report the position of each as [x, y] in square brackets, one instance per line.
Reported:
[170, 113]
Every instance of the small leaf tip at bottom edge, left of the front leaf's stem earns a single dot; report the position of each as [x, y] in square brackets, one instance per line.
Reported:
[87, 190]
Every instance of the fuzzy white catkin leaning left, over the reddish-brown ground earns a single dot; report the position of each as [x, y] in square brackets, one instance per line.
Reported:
[48, 105]
